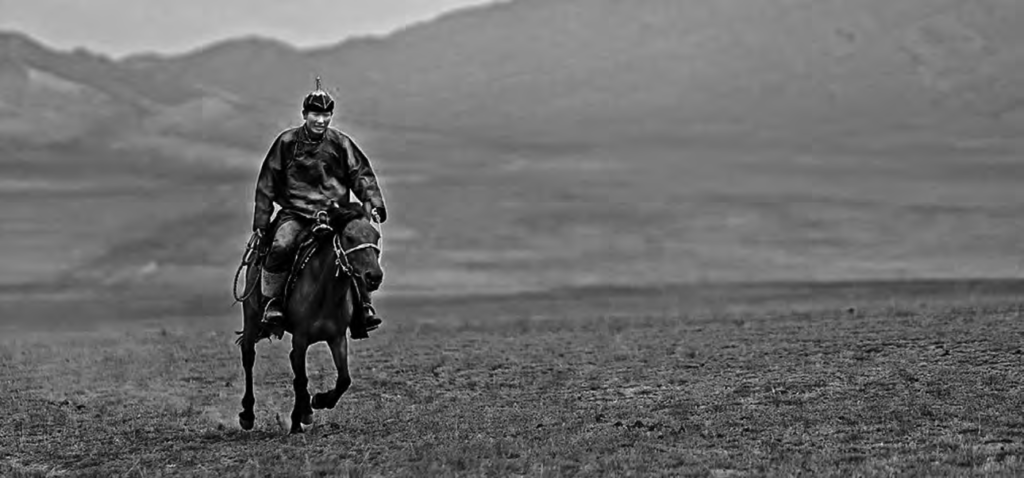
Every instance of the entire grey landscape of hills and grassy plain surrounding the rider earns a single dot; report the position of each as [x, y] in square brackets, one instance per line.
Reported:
[674, 238]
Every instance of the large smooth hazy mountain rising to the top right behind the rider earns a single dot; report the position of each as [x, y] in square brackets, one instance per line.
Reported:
[575, 71]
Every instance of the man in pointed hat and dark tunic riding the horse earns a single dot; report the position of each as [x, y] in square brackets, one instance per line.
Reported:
[308, 168]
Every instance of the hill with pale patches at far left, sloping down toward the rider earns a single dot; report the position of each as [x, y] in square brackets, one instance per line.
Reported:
[50, 98]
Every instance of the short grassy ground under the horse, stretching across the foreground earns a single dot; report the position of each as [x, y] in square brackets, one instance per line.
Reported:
[833, 381]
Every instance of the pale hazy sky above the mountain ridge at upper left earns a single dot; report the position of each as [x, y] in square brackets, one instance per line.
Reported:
[120, 27]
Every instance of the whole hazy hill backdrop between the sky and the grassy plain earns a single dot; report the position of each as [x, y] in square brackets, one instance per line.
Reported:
[532, 145]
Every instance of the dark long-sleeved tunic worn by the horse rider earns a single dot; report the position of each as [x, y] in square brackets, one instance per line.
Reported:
[304, 176]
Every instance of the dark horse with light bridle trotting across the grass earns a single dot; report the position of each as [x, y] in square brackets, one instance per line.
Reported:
[321, 302]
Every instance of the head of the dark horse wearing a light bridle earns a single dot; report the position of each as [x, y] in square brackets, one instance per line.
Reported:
[360, 243]
